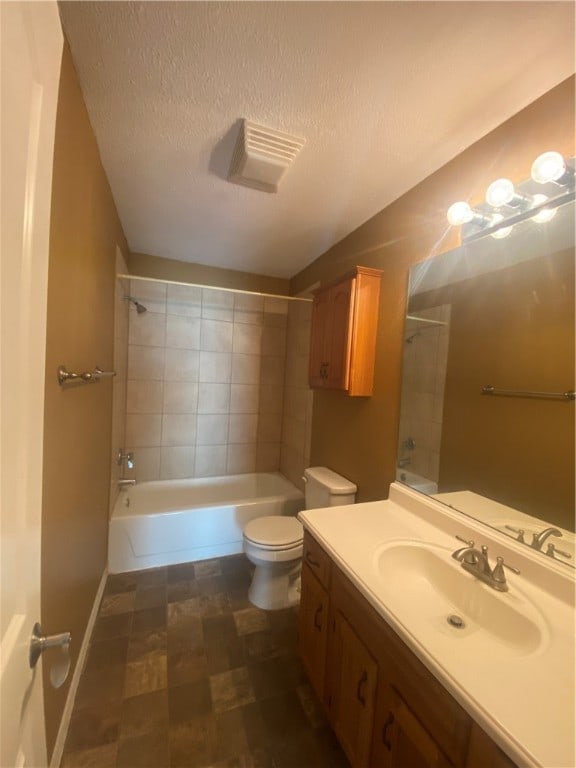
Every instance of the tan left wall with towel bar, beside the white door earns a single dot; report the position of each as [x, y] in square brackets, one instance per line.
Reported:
[85, 230]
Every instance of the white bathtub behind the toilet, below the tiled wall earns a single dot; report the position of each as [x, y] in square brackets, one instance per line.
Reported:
[163, 522]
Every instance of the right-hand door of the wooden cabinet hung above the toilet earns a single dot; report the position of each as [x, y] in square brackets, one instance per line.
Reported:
[340, 334]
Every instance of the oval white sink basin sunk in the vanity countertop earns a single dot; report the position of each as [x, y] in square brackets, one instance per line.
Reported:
[424, 586]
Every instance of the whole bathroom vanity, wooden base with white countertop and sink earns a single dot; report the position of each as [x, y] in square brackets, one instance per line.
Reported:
[417, 662]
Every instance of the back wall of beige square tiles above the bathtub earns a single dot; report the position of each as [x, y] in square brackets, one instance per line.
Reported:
[205, 390]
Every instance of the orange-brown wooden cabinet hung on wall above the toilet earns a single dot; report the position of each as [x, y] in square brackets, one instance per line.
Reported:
[343, 335]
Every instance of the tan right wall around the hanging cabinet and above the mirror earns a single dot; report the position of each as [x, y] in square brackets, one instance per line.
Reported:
[358, 437]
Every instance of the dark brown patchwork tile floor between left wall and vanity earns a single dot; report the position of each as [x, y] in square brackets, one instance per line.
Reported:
[183, 671]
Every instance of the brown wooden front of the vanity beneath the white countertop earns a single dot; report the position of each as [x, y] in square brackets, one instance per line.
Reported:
[385, 707]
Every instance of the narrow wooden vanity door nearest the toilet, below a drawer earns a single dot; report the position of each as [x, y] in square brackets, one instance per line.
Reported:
[313, 629]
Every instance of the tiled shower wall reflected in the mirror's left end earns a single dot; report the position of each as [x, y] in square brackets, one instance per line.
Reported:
[423, 378]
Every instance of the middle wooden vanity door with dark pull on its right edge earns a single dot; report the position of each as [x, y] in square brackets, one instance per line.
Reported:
[352, 684]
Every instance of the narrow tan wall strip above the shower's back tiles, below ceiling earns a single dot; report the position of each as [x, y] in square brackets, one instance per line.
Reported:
[146, 265]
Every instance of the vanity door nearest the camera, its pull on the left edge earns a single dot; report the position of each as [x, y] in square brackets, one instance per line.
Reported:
[400, 740]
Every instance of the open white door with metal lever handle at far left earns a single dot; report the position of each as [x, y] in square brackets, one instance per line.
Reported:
[31, 51]
